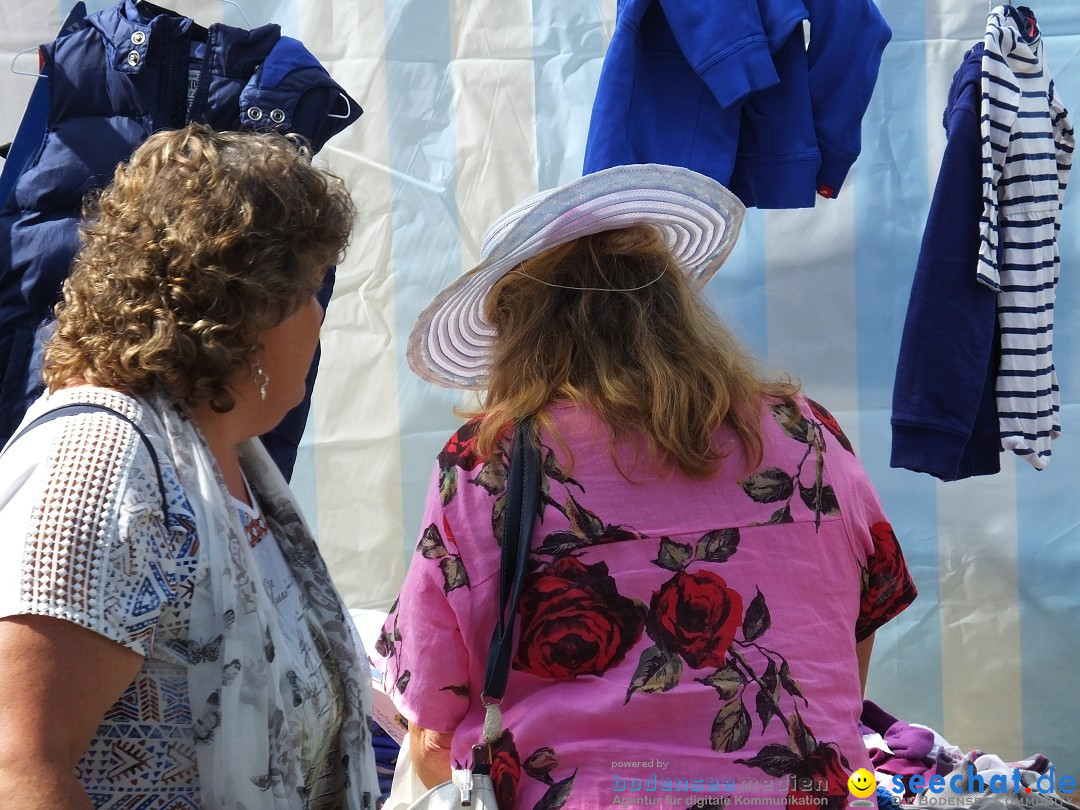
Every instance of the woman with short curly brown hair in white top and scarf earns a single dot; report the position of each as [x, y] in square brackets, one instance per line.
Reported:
[171, 637]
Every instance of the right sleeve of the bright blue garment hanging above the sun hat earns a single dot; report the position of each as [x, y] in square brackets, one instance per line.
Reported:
[847, 40]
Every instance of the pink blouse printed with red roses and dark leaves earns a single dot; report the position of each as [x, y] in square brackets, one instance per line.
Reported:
[682, 642]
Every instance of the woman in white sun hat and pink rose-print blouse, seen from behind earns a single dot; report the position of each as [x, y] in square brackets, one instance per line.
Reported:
[710, 562]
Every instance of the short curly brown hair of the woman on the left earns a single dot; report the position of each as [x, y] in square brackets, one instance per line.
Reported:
[201, 241]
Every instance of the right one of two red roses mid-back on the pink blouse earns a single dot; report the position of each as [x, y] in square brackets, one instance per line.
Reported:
[696, 616]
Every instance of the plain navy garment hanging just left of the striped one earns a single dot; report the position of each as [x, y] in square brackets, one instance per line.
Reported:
[944, 411]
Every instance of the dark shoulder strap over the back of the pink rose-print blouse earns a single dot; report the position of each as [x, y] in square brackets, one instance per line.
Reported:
[523, 499]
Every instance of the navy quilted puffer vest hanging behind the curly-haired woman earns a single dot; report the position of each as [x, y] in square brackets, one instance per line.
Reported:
[111, 89]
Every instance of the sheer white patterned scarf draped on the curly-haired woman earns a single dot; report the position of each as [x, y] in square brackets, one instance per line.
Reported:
[252, 752]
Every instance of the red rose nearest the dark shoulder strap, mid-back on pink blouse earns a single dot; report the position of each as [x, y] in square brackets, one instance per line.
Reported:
[575, 623]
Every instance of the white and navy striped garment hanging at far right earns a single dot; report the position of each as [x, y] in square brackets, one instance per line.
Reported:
[1028, 145]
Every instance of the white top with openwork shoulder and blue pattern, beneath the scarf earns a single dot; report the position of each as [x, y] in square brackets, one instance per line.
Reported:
[82, 541]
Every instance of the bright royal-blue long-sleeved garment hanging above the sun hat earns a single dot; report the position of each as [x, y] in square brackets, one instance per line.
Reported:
[738, 96]
